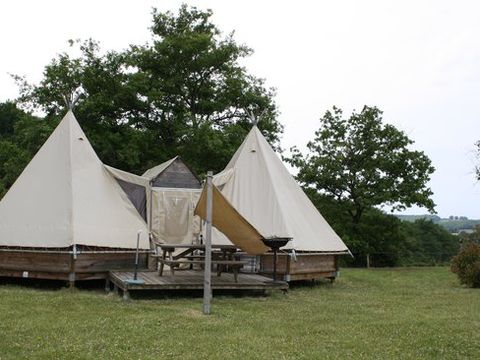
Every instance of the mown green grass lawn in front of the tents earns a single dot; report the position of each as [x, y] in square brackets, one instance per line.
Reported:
[408, 313]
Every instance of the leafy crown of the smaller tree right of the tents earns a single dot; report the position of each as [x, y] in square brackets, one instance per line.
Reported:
[362, 163]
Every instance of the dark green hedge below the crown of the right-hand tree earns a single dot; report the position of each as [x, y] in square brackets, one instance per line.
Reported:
[385, 238]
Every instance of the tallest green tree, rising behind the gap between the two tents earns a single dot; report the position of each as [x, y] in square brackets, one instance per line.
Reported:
[194, 90]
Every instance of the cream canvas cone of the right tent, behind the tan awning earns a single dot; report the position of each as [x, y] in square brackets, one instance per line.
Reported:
[260, 187]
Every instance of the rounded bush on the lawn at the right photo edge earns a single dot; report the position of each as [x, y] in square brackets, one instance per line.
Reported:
[467, 265]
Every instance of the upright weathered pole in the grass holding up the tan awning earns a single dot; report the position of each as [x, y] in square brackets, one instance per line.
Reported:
[207, 285]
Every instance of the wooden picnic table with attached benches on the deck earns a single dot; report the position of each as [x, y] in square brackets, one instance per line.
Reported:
[223, 256]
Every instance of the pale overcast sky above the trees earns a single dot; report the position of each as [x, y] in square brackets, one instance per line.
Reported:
[418, 61]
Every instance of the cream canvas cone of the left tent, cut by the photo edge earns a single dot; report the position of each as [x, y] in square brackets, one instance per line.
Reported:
[66, 197]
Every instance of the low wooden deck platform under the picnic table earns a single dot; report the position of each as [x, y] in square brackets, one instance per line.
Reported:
[191, 280]
